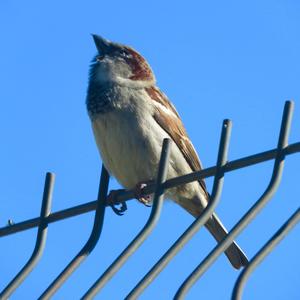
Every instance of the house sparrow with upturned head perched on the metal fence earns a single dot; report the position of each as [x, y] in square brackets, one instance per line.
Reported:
[130, 118]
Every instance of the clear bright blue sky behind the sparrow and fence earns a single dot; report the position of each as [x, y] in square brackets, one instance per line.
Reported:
[215, 60]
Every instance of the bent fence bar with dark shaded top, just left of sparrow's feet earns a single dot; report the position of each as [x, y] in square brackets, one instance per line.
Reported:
[90, 244]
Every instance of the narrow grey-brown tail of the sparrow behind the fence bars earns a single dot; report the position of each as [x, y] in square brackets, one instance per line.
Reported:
[234, 253]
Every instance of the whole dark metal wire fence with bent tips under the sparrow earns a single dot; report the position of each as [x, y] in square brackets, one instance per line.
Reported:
[278, 155]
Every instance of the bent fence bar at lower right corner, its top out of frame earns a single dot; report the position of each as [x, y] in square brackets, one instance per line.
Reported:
[263, 252]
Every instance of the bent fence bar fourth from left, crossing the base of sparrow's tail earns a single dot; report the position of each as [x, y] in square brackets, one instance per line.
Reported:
[193, 229]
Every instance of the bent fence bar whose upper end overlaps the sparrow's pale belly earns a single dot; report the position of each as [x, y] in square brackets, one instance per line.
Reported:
[147, 229]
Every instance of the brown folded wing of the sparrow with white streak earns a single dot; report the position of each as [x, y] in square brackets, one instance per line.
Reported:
[167, 117]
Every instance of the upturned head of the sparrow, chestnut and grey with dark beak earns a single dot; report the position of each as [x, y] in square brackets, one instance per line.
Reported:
[120, 64]
